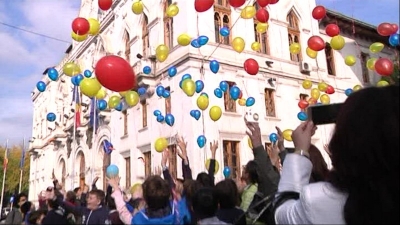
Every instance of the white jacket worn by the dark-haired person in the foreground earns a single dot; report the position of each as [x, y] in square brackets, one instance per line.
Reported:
[319, 203]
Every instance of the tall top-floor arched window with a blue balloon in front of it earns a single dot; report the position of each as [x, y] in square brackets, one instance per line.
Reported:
[222, 18]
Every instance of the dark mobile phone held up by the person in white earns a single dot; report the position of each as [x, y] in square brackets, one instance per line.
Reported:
[323, 114]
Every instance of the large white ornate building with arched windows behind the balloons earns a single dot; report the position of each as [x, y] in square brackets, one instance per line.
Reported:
[277, 88]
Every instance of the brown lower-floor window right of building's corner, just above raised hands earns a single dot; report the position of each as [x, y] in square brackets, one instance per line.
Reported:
[231, 153]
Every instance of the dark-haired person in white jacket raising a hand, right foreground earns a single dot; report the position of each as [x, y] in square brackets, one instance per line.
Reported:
[363, 186]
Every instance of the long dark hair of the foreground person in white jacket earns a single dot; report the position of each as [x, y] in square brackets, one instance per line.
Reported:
[365, 155]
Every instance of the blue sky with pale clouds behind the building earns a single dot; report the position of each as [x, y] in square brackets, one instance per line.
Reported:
[24, 56]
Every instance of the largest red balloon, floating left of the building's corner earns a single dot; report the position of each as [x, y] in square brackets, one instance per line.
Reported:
[115, 73]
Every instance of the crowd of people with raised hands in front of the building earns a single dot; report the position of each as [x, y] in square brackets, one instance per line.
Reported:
[276, 187]
